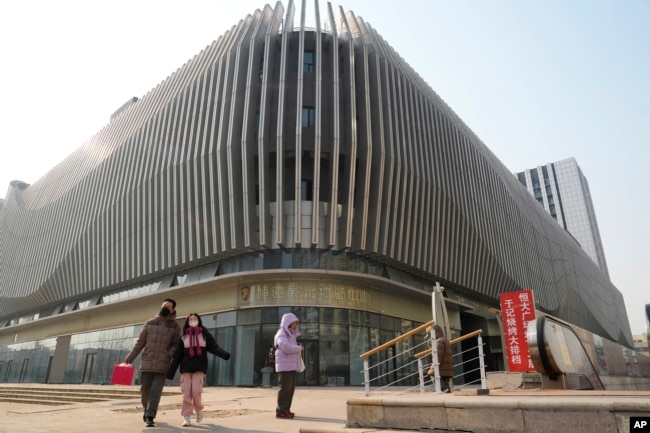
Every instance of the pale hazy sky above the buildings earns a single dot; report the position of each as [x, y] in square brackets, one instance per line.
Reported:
[537, 81]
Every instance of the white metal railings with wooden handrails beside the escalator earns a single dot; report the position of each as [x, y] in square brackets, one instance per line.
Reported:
[413, 370]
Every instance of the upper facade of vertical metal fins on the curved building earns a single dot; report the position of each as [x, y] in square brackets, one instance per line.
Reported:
[283, 137]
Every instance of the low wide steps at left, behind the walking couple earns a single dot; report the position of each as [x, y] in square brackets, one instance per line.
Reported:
[56, 395]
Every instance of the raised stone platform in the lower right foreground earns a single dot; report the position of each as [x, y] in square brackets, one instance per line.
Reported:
[522, 411]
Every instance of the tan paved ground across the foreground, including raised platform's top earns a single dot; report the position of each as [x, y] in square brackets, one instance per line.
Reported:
[318, 409]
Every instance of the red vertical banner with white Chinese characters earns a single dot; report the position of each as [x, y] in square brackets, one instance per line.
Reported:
[517, 308]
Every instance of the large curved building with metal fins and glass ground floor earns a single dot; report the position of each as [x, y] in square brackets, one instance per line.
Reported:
[283, 168]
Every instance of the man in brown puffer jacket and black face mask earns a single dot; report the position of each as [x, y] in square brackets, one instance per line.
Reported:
[158, 338]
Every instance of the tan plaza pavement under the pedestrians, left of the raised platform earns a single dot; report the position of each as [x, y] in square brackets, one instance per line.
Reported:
[227, 410]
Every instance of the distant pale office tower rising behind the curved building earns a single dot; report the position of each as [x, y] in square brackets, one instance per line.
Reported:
[562, 189]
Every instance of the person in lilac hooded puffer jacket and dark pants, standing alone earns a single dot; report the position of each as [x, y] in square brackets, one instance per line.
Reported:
[288, 357]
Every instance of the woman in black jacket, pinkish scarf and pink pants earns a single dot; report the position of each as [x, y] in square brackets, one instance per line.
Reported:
[192, 357]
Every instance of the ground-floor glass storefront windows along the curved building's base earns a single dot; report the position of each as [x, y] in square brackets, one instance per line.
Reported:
[334, 339]
